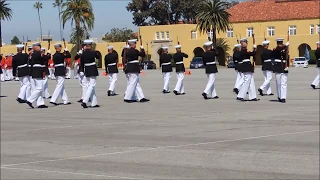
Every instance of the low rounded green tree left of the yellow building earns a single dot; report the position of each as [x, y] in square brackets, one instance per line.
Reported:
[118, 35]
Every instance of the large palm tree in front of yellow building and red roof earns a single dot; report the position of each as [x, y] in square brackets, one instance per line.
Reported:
[212, 16]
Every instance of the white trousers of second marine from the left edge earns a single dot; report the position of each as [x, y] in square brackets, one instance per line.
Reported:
[37, 88]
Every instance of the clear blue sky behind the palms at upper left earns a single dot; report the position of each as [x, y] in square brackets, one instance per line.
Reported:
[108, 14]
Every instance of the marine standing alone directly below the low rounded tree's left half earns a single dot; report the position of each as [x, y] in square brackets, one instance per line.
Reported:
[111, 66]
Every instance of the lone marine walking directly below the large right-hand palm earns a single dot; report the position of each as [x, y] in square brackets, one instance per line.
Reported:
[209, 61]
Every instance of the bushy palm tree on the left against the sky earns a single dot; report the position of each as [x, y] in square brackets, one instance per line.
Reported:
[80, 13]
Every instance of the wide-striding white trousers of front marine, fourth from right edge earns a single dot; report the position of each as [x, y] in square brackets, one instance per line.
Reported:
[248, 86]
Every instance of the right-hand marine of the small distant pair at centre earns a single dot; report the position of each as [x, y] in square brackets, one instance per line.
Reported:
[180, 69]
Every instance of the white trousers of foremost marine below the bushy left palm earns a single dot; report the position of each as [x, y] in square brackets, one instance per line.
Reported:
[91, 91]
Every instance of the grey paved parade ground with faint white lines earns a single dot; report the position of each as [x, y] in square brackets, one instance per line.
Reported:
[171, 137]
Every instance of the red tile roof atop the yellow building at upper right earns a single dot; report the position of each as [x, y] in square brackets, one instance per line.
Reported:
[273, 10]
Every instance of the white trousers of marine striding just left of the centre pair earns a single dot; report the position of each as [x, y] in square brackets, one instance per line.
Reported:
[134, 90]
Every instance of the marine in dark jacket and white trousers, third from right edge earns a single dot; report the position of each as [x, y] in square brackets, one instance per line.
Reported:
[267, 68]
